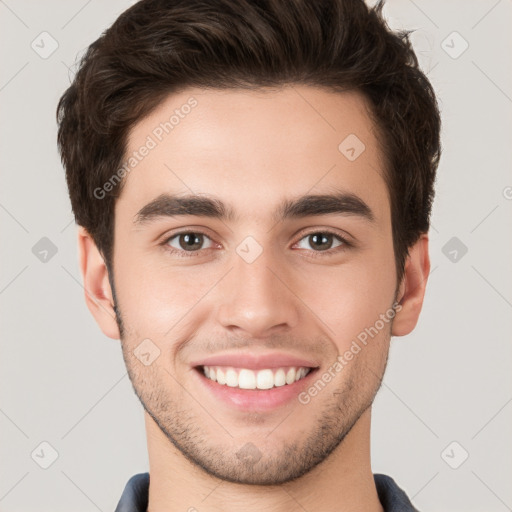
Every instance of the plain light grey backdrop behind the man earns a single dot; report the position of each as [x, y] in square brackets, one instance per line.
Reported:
[64, 383]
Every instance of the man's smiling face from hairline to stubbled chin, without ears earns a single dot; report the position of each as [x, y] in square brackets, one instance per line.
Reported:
[274, 282]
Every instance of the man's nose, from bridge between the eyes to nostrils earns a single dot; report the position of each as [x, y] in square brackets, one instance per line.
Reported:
[257, 299]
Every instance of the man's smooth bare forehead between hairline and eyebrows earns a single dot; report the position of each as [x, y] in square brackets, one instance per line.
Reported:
[255, 148]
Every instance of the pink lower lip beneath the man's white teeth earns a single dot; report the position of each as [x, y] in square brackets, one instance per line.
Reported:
[256, 399]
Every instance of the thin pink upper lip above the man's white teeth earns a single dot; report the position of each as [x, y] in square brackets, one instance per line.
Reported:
[255, 361]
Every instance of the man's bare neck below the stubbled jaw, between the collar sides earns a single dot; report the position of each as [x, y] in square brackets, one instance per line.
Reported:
[342, 483]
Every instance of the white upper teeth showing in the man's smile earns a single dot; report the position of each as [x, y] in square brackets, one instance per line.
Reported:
[245, 378]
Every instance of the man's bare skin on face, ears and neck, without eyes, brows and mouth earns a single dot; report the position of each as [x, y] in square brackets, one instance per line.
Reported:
[252, 149]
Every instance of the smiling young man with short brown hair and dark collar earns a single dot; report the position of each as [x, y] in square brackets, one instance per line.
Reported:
[252, 182]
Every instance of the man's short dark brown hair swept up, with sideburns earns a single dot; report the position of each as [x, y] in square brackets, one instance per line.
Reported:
[158, 47]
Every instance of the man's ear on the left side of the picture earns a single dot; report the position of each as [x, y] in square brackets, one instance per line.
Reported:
[98, 293]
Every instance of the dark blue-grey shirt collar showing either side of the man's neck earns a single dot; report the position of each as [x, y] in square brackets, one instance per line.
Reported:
[135, 495]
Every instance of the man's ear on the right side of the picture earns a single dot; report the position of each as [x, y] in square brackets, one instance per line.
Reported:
[412, 288]
